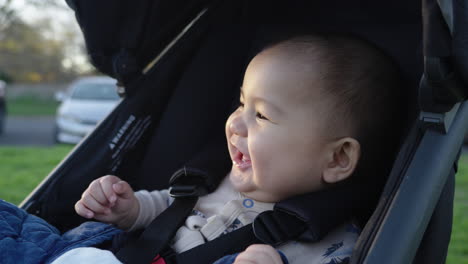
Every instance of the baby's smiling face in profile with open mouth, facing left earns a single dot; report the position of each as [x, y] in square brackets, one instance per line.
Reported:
[277, 137]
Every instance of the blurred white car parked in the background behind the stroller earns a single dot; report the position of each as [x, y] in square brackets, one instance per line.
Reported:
[87, 101]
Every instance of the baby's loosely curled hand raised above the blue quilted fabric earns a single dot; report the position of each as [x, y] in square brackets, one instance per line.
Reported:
[111, 200]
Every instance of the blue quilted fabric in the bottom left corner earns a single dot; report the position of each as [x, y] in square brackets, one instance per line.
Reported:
[25, 238]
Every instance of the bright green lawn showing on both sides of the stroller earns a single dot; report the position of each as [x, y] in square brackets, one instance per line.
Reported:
[23, 168]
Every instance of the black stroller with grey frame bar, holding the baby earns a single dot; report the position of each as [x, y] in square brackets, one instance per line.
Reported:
[179, 66]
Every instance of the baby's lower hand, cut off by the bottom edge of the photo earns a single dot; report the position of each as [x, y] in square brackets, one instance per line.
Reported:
[259, 254]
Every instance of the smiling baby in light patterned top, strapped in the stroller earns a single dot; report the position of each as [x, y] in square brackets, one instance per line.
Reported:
[311, 108]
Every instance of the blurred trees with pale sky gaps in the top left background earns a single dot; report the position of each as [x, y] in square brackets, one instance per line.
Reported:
[36, 52]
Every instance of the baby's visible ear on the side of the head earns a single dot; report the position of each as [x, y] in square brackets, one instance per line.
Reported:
[343, 157]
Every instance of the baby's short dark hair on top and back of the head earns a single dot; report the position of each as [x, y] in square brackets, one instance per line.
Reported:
[364, 86]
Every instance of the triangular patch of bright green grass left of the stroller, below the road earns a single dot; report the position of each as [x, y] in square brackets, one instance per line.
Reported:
[23, 168]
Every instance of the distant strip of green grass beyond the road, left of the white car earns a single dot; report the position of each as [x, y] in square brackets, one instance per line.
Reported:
[29, 105]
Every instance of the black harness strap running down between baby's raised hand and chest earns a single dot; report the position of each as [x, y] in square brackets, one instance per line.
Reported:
[158, 234]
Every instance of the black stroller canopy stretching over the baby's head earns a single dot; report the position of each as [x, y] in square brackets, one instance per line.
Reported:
[122, 37]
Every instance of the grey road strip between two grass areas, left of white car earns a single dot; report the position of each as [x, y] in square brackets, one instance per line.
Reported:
[28, 131]
